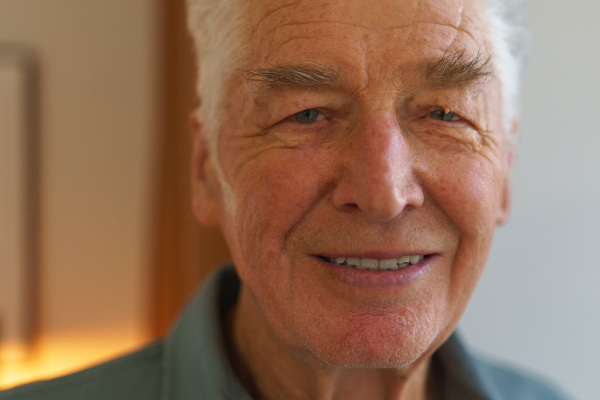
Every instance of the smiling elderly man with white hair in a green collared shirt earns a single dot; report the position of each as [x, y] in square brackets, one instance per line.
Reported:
[357, 156]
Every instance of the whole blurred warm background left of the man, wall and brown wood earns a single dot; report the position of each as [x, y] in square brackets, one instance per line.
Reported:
[111, 251]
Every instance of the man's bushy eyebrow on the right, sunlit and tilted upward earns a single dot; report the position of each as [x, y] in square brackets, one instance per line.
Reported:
[457, 69]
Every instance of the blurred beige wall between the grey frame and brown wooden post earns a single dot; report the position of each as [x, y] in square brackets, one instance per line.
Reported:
[98, 66]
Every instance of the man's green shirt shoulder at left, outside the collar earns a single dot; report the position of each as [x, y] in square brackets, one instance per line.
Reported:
[135, 376]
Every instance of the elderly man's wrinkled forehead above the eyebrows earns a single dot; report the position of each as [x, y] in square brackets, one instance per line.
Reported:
[287, 31]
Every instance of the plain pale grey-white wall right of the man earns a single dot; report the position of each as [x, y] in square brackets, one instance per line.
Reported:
[538, 303]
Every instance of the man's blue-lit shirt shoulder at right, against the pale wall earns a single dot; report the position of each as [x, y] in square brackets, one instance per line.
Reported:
[511, 383]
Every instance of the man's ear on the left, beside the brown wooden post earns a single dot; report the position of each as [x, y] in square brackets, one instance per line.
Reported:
[205, 186]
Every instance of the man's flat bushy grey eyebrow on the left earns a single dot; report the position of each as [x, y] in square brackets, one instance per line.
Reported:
[263, 80]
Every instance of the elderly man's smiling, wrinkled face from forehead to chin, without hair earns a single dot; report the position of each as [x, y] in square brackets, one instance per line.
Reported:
[344, 141]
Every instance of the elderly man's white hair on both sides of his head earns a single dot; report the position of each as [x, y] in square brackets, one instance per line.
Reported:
[217, 27]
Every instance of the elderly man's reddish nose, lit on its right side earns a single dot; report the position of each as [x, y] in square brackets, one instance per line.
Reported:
[377, 176]
